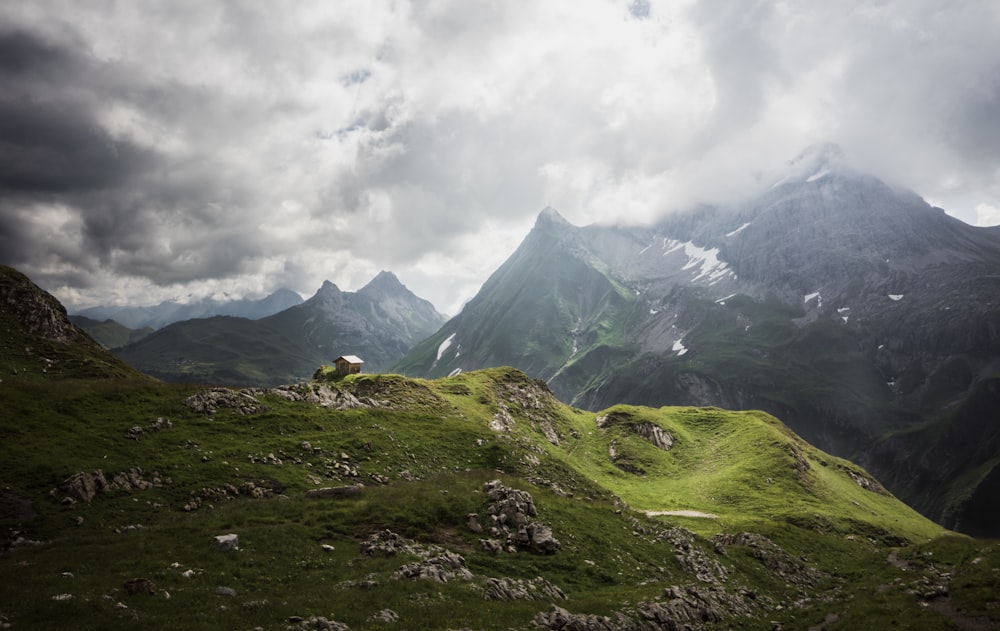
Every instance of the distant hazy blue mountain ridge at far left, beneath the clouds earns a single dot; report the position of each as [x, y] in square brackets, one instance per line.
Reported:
[170, 311]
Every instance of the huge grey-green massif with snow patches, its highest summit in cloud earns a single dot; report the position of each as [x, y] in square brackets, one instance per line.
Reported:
[866, 319]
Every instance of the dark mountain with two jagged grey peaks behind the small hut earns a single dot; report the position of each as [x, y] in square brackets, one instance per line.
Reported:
[379, 322]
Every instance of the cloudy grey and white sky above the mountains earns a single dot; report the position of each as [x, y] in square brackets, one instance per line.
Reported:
[154, 150]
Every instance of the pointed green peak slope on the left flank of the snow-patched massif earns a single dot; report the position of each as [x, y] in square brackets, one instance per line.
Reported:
[543, 310]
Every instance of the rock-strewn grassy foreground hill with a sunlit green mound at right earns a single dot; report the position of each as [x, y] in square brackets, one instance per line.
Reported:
[345, 492]
